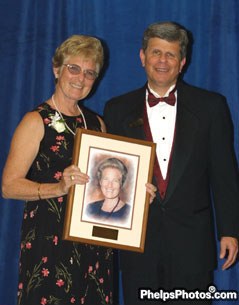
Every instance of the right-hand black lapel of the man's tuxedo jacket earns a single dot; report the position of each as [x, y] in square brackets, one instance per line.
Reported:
[185, 137]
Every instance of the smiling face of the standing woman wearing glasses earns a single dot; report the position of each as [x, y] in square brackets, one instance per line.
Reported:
[75, 87]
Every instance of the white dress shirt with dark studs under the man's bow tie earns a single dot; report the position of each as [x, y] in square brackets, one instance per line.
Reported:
[162, 119]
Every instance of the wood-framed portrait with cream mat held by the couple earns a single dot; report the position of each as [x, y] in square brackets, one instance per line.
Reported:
[112, 208]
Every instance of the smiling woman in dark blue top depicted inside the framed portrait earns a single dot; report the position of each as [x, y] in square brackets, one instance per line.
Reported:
[111, 175]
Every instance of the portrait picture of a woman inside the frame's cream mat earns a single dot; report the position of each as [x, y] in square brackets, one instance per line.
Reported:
[109, 196]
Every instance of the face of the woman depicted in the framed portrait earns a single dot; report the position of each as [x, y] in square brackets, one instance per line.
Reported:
[110, 182]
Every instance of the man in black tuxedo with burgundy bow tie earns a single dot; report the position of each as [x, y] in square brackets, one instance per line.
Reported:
[195, 159]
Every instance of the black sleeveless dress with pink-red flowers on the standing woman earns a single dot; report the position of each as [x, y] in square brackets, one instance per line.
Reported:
[51, 270]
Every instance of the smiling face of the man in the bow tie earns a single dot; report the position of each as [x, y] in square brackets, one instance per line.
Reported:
[162, 63]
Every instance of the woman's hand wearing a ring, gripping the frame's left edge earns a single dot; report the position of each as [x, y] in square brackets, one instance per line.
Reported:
[72, 175]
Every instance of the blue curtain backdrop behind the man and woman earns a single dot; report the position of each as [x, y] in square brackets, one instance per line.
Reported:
[32, 29]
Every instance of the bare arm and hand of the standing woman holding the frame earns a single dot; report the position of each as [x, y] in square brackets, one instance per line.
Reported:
[23, 150]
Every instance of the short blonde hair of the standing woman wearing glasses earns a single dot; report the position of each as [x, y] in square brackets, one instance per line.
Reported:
[80, 45]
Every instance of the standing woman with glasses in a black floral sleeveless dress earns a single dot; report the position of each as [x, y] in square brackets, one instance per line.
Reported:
[38, 170]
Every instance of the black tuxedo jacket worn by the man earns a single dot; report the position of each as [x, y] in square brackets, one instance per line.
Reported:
[181, 227]
